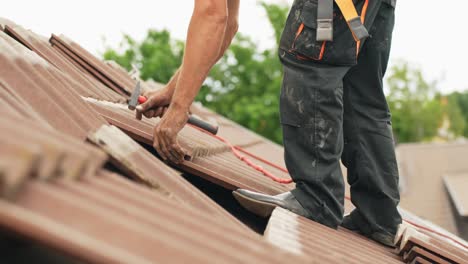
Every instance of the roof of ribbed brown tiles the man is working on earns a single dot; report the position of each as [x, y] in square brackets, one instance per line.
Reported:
[63, 122]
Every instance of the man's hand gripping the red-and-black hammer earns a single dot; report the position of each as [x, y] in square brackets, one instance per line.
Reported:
[156, 105]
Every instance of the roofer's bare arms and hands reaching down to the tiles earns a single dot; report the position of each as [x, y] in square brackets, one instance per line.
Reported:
[205, 42]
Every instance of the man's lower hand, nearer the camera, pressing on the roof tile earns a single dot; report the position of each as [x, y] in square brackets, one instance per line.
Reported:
[165, 135]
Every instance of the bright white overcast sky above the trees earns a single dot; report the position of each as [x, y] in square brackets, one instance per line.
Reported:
[430, 36]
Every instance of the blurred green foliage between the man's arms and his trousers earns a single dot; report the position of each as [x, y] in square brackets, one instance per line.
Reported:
[245, 85]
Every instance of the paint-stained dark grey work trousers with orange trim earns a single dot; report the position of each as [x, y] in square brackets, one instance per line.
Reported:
[333, 107]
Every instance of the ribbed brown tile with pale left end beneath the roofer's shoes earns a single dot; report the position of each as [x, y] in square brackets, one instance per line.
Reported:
[312, 240]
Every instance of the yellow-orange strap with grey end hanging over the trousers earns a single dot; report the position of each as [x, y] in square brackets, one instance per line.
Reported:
[353, 19]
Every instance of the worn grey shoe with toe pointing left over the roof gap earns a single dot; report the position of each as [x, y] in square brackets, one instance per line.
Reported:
[263, 205]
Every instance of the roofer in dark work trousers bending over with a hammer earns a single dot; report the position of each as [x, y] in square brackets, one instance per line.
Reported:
[332, 107]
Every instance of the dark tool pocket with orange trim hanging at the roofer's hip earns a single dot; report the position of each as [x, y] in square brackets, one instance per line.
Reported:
[303, 44]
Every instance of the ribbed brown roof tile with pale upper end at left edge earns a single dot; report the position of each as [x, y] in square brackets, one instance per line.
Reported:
[37, 82]
